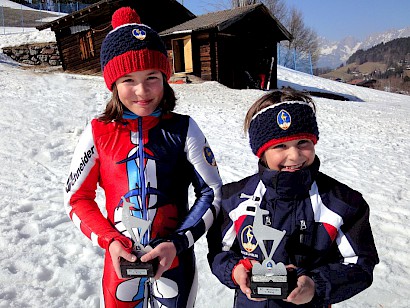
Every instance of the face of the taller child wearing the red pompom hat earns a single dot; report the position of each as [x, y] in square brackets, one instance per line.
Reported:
[141, 92]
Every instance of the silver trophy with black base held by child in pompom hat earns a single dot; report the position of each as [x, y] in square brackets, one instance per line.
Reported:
[136, 227]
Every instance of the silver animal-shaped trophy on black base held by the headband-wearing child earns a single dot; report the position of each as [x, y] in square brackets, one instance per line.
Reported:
[269, 280]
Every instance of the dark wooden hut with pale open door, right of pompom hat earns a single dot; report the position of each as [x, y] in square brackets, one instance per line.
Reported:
[235, 47]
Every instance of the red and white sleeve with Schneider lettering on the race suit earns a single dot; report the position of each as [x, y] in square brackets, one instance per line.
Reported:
[80, 192]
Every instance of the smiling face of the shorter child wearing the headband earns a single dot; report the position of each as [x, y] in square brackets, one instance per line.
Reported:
[291, 155]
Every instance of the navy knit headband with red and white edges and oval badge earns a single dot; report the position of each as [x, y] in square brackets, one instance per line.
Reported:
[282, 122]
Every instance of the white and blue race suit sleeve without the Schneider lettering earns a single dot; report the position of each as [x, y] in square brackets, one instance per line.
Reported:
[207, 185]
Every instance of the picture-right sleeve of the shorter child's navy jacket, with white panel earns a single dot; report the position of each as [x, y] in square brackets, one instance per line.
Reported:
[341, 279]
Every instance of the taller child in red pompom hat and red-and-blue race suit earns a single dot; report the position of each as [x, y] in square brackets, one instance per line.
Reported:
[143, 156]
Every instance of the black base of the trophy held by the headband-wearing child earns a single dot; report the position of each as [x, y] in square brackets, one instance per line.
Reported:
[273, 287]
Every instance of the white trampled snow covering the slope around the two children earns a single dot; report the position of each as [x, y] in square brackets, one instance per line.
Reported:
[46, 261]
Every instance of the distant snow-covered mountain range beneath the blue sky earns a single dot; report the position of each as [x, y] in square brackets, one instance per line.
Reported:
[335, 53]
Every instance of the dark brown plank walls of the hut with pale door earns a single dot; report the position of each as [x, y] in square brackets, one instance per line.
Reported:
[225, 57]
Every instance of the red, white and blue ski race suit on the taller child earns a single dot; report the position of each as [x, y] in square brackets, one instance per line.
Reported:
[148, 162]
